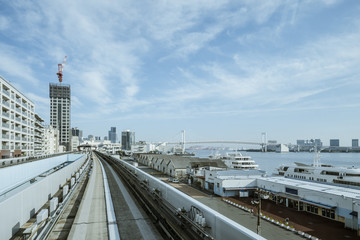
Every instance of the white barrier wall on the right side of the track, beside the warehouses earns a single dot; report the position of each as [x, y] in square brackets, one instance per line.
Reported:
[221, 226]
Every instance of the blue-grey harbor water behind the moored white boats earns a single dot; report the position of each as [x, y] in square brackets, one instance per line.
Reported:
[269, 161]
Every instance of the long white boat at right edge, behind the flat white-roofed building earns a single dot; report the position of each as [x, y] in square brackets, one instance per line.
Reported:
[317, 172]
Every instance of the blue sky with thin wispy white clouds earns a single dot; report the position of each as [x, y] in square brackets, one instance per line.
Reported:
[220, 70]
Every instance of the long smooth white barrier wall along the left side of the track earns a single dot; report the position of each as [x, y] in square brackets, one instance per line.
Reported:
[19, 208]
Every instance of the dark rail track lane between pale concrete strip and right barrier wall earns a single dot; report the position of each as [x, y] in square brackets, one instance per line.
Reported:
[156, 212]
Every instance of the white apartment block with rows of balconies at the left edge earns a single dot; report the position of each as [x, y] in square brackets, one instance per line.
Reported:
[17, 122]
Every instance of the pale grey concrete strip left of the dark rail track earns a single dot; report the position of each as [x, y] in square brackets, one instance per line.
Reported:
[90, 221]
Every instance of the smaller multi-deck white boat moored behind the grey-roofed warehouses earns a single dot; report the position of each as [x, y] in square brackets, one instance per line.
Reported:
[235, 160]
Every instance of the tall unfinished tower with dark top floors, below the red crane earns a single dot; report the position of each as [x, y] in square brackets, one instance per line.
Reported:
[60, 108]
